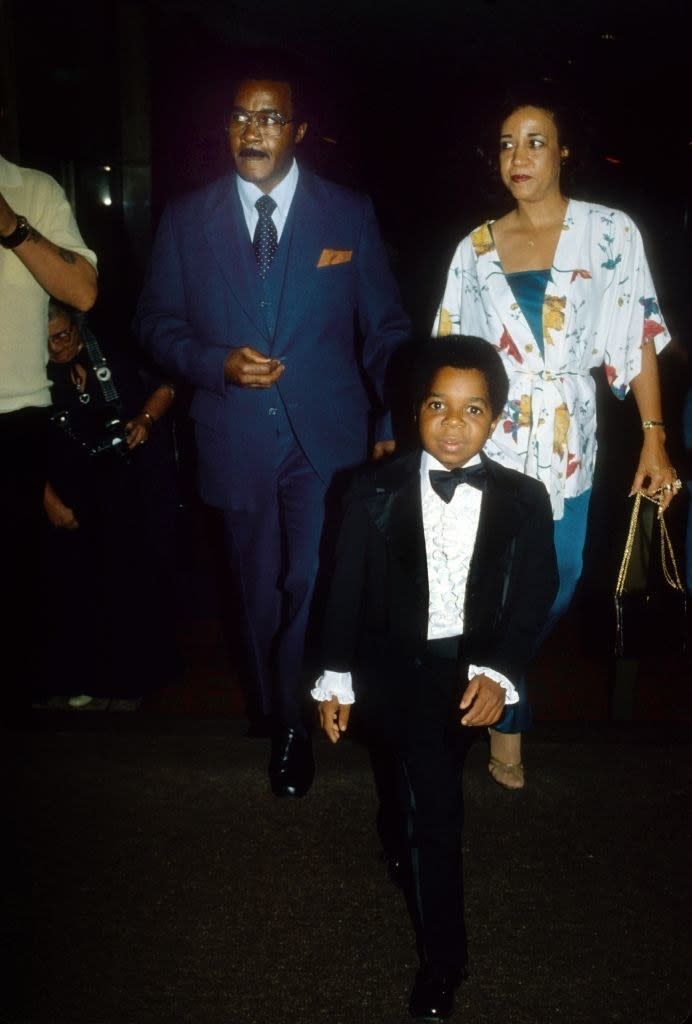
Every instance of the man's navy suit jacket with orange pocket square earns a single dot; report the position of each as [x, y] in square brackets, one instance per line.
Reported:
[331, 324]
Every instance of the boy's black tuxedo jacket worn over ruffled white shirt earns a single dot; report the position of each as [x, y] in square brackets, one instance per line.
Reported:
[376, 619]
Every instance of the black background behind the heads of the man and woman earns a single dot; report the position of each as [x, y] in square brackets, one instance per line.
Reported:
[404, 100]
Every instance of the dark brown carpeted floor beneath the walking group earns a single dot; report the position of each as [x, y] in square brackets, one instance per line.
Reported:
[155, 880]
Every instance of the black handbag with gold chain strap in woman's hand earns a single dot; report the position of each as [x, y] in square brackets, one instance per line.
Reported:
[651, 601]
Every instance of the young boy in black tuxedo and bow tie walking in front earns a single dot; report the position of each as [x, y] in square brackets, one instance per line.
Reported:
[444, 575]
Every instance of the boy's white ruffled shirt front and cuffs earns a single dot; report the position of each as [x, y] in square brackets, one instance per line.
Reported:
[450, 539]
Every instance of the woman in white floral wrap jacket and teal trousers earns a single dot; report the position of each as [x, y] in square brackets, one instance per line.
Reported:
[560, 287]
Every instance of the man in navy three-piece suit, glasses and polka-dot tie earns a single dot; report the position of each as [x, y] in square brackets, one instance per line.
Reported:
[271, 292]
